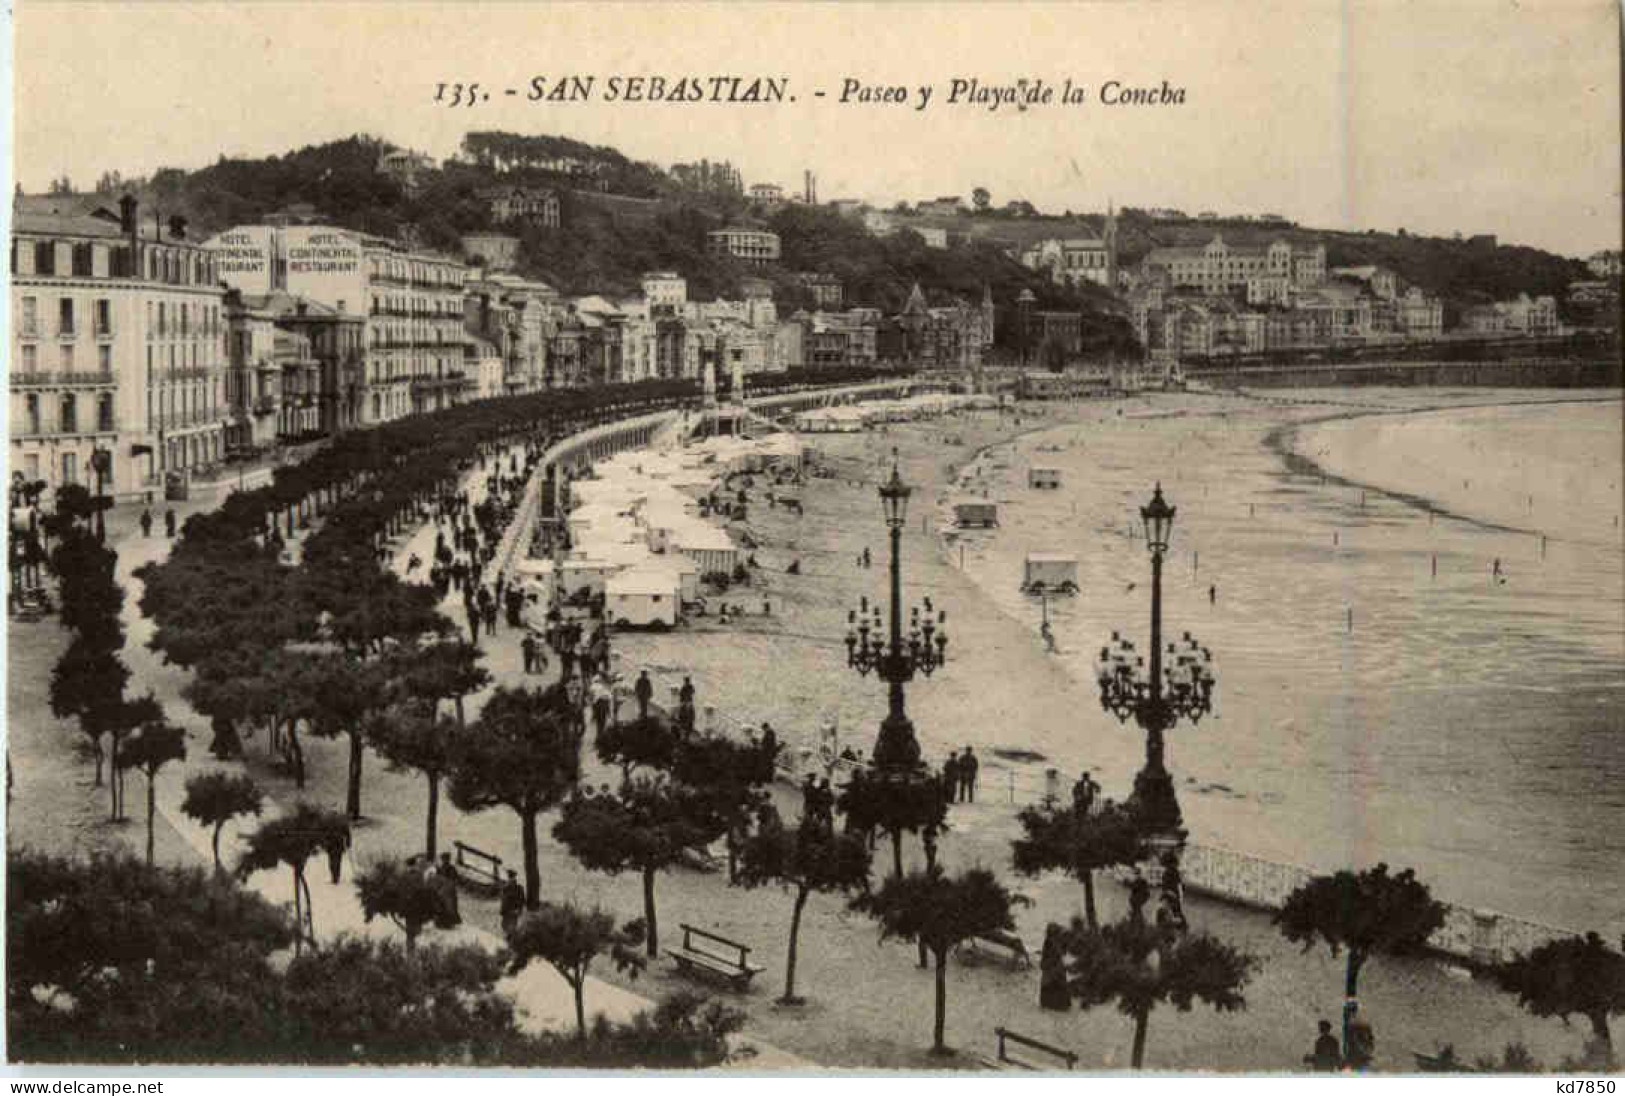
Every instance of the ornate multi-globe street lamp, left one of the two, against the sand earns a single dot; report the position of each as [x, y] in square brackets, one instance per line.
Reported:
[893, 658]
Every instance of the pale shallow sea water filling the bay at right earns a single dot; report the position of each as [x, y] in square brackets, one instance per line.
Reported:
[1385, 690]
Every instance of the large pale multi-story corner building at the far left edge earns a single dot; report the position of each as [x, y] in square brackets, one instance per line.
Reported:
[118, 344]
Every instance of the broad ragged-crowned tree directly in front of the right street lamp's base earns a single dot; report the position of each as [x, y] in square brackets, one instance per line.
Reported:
[1142, 967]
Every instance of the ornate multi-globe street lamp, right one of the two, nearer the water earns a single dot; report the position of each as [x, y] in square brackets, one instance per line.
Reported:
[1177, 685]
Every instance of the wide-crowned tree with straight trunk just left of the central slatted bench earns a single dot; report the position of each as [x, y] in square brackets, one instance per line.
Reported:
[648, 827]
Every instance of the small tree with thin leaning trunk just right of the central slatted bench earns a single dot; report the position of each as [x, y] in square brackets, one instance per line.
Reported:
[807, 859]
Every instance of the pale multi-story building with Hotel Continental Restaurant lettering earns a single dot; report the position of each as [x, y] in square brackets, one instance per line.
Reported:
[414, 303]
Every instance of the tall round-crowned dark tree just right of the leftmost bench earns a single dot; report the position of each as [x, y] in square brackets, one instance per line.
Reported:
[524, 754]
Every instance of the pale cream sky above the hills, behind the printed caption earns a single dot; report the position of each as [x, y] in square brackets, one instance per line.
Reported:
[1436, 116]
